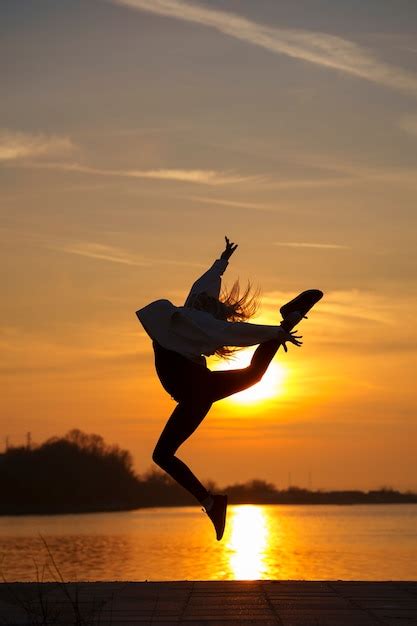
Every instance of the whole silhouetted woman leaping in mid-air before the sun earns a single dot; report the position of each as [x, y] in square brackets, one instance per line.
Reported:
[210, 323]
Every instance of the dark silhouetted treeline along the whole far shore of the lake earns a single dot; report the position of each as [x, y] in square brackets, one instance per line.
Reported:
[81, 473]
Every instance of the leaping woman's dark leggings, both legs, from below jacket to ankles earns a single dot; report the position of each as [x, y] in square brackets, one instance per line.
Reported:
[196, 388]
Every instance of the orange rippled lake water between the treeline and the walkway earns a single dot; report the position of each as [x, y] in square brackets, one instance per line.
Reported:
[280, 542]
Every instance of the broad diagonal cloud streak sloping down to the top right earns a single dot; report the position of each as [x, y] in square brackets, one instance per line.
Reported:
[314, 47]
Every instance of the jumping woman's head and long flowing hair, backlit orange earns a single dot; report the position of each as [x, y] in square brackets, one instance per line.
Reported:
[234, 305]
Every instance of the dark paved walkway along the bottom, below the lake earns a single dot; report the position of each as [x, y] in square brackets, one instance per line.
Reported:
[288, 603]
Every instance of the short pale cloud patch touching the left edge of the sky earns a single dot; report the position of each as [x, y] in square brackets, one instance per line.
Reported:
[18, 145]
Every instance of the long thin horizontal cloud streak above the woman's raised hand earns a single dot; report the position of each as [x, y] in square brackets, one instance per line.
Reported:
[199, 177]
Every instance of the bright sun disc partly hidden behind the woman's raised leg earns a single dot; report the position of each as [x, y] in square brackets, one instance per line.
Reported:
[271, 384]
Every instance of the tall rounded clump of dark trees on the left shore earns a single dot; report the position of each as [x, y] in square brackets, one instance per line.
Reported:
[78, 472]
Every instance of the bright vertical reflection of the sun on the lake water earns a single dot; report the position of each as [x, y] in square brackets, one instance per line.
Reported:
[248, 542]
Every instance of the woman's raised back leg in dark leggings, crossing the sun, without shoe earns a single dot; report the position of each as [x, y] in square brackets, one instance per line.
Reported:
[225, 383]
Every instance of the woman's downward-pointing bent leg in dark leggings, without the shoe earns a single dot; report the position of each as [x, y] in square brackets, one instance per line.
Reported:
[184, 420]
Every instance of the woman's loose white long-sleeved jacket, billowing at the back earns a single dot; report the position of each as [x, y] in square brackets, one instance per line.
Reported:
[194, 333]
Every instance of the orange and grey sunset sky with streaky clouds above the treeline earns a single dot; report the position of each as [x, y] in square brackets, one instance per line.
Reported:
[134, 135]
